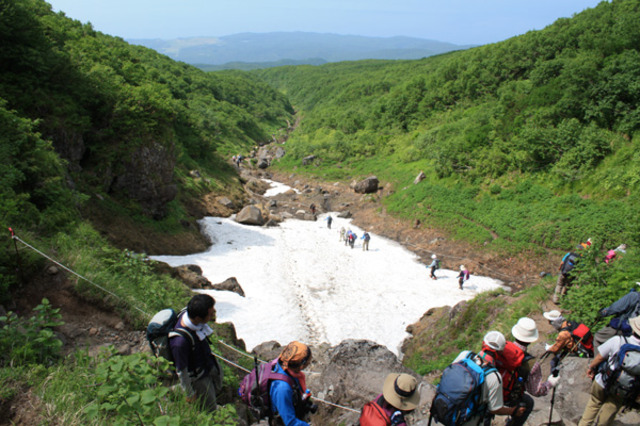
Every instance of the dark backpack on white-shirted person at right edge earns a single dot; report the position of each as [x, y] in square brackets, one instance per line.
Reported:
[622, 373]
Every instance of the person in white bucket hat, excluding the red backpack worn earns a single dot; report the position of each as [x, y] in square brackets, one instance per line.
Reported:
[525, 332]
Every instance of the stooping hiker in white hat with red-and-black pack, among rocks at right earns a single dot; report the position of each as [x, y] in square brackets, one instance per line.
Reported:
[574, 338]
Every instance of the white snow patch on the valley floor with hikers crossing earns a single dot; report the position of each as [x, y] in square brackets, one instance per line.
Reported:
[302, 283]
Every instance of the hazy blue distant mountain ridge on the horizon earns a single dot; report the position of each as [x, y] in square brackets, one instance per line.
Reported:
[296, 47]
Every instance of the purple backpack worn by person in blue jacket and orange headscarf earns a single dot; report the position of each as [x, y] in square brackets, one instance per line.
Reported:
[254, 388]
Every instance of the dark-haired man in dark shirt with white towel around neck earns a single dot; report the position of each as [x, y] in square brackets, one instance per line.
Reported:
[199, 372]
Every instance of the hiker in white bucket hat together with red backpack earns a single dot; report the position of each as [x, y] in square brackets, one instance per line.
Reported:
[520, 372]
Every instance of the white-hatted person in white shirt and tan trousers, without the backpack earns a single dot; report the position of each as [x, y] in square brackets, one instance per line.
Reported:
[602, 407]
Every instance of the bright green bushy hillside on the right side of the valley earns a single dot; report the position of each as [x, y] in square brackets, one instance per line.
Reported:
[534, 139]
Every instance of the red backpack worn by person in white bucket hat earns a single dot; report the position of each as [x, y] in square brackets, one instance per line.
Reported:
[509, 363]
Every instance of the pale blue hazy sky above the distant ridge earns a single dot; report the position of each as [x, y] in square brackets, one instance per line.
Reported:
[455, 21]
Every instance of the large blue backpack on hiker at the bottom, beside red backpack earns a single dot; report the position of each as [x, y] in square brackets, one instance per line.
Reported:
[458, 395]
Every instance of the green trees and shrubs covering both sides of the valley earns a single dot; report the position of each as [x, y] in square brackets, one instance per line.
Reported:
[529, 146]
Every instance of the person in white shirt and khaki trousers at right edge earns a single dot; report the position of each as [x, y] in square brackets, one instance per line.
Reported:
[607, 398]
